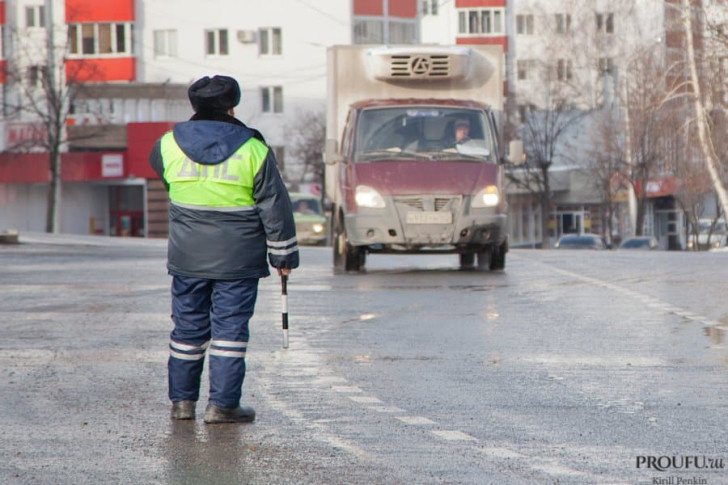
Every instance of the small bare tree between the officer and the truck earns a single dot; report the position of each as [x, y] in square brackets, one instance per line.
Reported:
[308, 134]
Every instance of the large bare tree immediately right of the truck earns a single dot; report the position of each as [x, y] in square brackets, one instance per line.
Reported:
[575, 55]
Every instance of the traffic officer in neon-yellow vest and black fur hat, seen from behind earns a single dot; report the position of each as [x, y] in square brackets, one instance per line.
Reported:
[228, 210]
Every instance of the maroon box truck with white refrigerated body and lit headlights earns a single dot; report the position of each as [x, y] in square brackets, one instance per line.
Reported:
[414, 162]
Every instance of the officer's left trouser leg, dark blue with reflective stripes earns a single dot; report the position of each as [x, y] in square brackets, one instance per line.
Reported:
[191, 300]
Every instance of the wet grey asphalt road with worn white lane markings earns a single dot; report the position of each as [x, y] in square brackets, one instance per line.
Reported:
[565, 368]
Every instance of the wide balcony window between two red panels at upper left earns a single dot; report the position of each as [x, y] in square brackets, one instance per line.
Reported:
[104, 39]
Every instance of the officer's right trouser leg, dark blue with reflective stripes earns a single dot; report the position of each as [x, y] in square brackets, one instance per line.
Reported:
[233, 303]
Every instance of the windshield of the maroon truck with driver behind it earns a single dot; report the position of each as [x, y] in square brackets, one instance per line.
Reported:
[423, 133]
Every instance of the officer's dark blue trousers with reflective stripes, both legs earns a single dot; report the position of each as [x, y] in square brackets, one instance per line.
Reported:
[212, 316]
